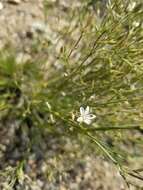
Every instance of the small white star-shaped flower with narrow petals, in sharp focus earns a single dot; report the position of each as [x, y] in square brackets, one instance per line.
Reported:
[85, 116]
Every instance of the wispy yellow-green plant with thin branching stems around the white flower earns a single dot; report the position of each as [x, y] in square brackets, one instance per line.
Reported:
[101, 68]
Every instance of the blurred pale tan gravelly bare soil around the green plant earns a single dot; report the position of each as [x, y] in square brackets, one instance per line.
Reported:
[71, 171]
